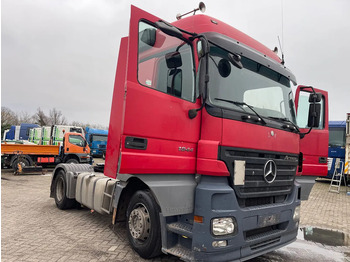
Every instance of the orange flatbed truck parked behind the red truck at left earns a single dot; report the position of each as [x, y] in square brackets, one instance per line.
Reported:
[74, 149]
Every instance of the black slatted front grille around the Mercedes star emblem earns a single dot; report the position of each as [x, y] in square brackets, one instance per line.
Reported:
[256, 191]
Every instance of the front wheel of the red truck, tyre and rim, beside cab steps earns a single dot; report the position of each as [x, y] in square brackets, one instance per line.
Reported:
[143, 226]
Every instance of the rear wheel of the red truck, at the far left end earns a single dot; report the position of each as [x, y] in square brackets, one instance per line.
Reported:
[59, 191]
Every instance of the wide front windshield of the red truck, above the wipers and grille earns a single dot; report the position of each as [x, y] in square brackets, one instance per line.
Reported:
[266, 91]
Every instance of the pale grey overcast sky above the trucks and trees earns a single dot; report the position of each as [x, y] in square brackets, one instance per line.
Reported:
[63, 53]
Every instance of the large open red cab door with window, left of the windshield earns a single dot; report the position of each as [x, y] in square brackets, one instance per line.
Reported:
[158, 136]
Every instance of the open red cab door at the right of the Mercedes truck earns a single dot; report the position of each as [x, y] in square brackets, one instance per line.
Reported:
[314, 146]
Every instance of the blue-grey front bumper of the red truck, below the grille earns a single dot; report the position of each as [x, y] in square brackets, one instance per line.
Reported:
[255, 234]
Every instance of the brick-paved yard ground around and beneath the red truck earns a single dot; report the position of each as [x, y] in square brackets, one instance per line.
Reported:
[33, 229]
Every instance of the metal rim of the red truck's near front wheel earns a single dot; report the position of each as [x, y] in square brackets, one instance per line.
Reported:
[139, 223]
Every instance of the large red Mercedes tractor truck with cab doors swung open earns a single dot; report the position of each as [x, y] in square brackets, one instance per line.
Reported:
[207, 172]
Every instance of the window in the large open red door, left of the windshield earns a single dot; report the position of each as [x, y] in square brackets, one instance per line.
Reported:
[165, 63]
